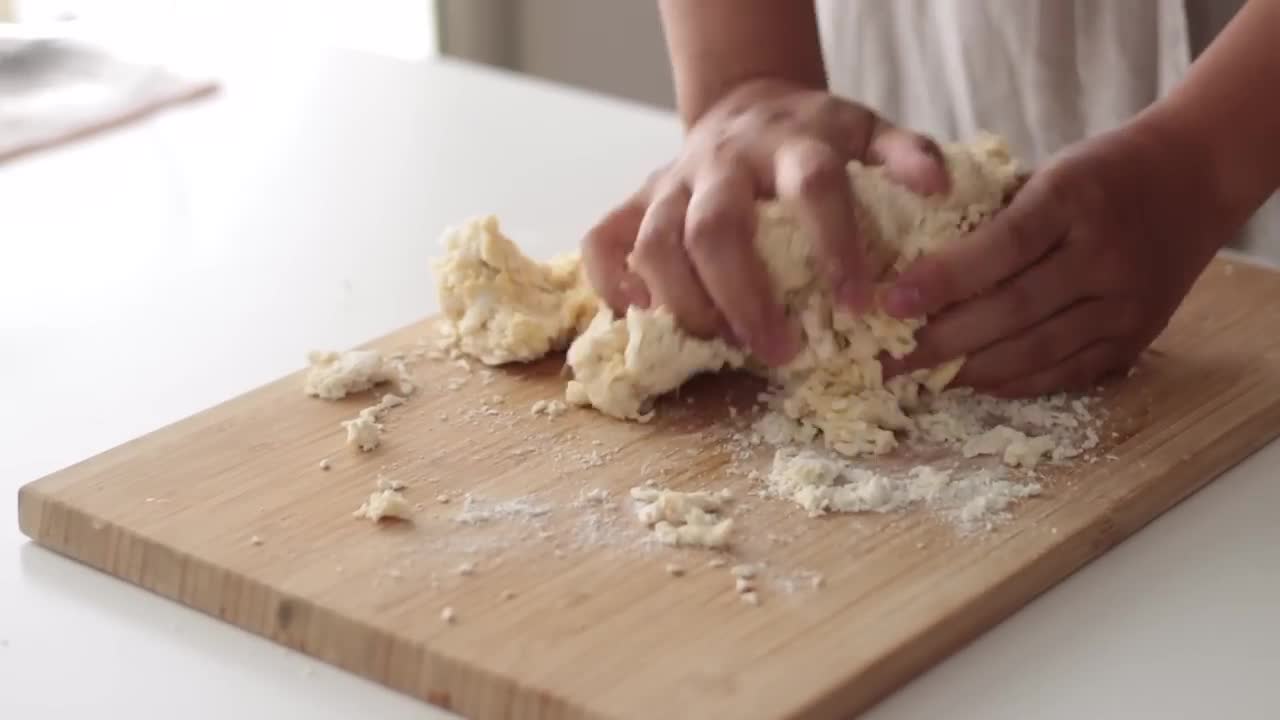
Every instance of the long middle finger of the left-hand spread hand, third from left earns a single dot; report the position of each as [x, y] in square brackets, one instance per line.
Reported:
[720, 238]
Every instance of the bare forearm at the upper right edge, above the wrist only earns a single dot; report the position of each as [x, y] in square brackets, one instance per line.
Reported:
[1228, 111]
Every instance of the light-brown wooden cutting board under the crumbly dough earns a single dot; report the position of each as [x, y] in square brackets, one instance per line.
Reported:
[566, 610]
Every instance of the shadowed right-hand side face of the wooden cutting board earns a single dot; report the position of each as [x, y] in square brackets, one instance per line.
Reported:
[1034, 577]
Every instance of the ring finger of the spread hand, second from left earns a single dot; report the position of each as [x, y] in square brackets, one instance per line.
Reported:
[661, 262]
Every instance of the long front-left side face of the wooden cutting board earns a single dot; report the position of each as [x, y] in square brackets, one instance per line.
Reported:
[412, 669]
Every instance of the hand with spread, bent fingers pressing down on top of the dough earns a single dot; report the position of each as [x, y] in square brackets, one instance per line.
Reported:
[687, 239]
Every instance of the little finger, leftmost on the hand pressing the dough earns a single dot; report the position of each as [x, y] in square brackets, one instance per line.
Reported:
[605, 257]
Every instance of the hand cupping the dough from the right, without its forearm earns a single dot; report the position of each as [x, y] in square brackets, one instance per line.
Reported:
[1076, 277]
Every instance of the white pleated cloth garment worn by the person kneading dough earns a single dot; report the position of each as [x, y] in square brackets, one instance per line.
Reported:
[1043, 74]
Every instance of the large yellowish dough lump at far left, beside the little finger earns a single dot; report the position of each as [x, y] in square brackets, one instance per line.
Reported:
[500, 306]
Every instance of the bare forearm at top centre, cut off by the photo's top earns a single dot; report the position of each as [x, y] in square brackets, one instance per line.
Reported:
[717, 45]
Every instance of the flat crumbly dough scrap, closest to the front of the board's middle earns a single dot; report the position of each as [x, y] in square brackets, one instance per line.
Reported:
[684, 520]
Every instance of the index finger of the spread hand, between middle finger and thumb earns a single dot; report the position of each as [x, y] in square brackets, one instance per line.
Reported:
[812, 179]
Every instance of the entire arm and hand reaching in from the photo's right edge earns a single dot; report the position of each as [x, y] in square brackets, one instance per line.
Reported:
[1092, 258]
